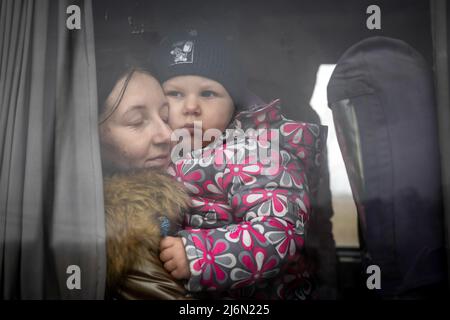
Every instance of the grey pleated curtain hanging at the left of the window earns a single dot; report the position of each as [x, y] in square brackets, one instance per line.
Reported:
[51, 197]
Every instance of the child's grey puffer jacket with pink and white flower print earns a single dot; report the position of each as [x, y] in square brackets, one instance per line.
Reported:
[251, 191]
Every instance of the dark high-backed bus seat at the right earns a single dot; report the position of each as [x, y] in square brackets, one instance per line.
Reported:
[382, 97]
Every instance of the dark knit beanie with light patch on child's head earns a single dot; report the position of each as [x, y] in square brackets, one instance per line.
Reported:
[201, 53]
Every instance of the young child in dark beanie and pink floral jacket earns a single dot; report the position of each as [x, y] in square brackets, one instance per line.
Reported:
[245, 234]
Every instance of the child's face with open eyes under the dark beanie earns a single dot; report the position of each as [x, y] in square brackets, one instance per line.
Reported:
[195, 98]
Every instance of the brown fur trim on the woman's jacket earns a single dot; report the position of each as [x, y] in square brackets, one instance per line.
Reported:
[134, 202]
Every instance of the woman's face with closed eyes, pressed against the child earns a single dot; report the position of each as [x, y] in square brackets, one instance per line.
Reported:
[136, 135]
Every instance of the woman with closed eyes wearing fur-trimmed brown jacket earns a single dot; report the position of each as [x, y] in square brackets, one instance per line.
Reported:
[135, 147]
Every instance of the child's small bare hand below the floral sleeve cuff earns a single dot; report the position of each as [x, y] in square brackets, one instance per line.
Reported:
[174, 257]
